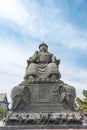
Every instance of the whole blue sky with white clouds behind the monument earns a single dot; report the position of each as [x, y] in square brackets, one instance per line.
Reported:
[61, 24]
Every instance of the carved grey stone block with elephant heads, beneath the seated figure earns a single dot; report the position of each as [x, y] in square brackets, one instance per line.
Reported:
[43, 96]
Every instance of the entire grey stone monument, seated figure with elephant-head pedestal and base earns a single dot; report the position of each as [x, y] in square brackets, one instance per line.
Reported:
[42, 98]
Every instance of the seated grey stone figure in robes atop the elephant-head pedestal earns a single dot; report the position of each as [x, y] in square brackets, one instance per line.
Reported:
[42, 64]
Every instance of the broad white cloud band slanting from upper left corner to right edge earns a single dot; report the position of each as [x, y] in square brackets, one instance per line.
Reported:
[38, 24]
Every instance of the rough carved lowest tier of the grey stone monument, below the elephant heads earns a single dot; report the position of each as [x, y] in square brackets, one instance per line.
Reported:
[30, 119]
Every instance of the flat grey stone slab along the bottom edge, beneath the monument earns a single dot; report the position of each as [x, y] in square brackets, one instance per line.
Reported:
[45, 127]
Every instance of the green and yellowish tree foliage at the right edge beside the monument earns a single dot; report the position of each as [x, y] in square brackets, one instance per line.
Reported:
[82, 103]
